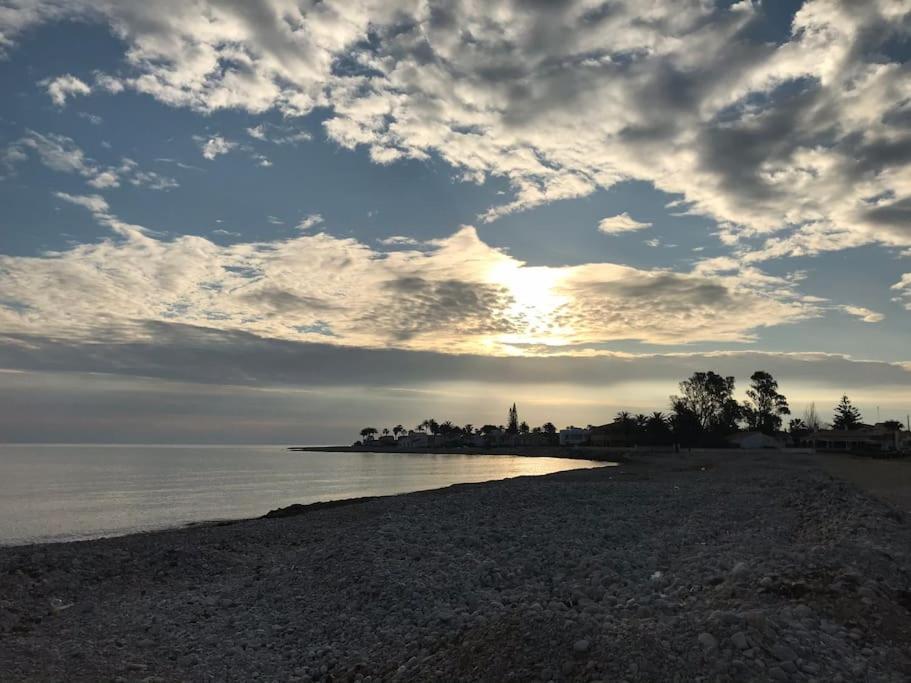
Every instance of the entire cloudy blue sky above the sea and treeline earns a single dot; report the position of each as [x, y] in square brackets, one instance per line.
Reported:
[278, 221]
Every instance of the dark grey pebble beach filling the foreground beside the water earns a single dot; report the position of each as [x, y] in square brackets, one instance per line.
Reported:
[724, 567]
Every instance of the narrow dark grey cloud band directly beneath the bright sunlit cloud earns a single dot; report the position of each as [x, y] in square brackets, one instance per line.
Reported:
[192, 354]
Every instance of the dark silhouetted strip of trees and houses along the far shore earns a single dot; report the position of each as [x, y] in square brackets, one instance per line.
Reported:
[704, 414]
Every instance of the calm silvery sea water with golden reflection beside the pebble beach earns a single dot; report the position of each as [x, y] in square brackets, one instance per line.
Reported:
[66, 492]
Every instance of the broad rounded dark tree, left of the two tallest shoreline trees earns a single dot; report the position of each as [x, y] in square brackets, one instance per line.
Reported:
[709, 399]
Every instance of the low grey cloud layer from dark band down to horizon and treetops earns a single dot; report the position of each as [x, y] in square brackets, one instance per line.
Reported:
[188, 385]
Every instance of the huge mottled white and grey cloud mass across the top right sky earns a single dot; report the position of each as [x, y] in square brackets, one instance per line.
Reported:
[802, 142]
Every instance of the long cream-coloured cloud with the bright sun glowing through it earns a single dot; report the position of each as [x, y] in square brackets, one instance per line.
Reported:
[455, 294]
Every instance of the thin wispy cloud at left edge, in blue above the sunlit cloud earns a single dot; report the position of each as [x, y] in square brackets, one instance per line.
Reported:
[61, 153]
